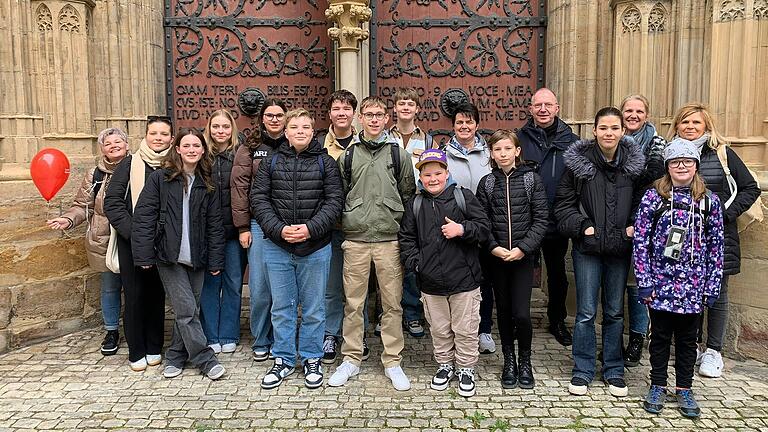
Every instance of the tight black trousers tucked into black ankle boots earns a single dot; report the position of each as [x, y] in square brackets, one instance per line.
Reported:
[512, 287]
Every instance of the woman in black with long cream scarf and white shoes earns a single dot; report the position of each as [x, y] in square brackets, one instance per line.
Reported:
[144, 313]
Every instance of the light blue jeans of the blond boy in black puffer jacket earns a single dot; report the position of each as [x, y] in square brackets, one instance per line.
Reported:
[295, 280]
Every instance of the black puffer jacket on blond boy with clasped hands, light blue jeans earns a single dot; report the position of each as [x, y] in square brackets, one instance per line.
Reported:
[292, 189]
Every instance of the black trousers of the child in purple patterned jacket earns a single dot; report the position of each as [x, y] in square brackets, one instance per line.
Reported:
[684, 328]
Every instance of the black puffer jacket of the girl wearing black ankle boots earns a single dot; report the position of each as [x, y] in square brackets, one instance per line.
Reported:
[516, 221]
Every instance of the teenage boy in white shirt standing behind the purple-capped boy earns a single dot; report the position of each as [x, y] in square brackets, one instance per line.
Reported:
[415, 140]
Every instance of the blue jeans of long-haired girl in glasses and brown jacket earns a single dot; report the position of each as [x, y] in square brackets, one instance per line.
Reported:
[258, 285]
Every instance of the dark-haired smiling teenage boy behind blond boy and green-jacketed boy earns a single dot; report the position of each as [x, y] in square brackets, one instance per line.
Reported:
[341, 111]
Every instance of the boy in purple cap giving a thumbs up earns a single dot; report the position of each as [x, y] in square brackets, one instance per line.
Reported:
[439, 237]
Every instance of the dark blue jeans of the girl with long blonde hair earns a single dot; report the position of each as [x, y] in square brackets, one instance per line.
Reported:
[221, 298]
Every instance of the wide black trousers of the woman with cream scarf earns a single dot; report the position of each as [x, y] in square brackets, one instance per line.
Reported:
[144, 315]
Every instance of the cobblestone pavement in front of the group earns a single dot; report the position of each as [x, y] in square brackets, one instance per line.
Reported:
[66, 384]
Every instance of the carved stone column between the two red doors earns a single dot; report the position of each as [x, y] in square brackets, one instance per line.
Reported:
[349, 18]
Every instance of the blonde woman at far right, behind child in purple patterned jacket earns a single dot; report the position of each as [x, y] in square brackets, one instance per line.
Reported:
[694, 122]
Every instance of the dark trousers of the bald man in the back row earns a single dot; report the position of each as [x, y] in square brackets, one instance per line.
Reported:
[553, 250]
